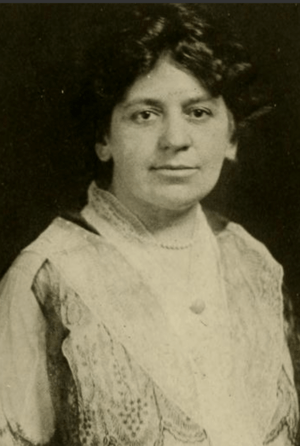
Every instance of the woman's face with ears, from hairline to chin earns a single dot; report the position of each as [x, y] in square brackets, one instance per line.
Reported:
[168, 139]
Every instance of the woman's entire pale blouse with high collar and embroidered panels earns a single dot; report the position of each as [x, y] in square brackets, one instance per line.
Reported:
[115, 339]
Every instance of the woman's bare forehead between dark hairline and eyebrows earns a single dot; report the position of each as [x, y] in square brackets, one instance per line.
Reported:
[166, 80]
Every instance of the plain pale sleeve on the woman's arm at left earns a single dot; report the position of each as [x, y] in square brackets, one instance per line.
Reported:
[26, 410]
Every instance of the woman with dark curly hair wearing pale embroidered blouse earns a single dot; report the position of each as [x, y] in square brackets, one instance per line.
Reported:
[151, 321]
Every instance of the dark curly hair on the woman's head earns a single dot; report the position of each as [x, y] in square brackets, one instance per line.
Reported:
[130, 38]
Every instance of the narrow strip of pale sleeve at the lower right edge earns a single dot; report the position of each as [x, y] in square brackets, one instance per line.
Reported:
[284, 425]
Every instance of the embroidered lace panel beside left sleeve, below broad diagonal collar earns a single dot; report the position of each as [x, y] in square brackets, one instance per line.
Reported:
[116, 402]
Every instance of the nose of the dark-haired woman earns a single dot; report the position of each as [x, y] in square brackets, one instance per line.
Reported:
[175, 135]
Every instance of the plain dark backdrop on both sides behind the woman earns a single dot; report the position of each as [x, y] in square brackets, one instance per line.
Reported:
[46, 154]
